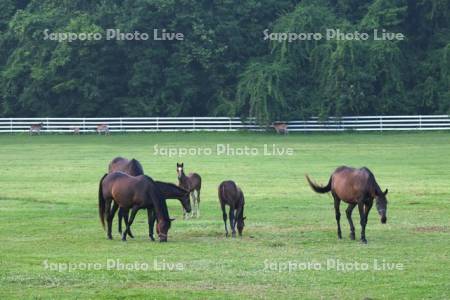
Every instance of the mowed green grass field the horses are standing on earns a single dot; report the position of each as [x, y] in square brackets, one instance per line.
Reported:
[48, 211]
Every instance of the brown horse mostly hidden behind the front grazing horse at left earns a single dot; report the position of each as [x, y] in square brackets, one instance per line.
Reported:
[169, 191]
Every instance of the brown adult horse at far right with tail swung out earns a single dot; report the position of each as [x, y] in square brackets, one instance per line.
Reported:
[356, 187]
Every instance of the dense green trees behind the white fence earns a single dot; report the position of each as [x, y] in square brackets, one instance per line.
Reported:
[224, 65]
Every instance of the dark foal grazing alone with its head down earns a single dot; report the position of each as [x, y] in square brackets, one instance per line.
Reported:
[230, 194]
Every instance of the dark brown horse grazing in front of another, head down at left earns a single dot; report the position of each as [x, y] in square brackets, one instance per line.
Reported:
[131, 192]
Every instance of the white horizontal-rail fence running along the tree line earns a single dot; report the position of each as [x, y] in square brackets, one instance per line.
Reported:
[362, 123]
